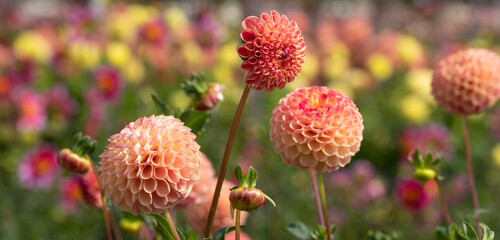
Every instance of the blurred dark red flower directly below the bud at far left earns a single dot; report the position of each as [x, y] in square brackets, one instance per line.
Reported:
[71, 194]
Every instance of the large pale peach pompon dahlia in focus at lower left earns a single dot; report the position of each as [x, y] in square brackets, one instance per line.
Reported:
[151, 165]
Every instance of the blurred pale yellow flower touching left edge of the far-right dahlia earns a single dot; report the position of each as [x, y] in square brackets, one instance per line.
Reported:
[419, 82]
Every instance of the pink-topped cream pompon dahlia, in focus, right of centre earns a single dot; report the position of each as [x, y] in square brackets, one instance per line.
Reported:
[317, 128]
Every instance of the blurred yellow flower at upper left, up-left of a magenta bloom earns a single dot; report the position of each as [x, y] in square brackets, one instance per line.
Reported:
[83, 53]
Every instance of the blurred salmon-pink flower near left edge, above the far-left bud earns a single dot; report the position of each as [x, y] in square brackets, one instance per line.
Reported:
[31, 110]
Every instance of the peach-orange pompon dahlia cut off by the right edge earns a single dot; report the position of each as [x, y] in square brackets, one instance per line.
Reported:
[467, 81]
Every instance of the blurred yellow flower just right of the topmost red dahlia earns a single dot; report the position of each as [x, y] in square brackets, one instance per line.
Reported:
[337, 62]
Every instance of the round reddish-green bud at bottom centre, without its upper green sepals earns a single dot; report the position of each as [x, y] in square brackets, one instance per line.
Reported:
[247, 199]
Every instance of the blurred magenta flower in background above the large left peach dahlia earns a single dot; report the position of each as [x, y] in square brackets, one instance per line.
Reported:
[108, 82]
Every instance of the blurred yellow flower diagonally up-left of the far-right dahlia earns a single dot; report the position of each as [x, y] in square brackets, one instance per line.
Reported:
[409, 49]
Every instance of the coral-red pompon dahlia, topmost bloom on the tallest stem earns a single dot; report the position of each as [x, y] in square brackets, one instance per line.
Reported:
[274, 50]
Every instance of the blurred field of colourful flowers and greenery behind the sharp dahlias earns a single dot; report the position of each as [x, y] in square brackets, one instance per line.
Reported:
[91, 66]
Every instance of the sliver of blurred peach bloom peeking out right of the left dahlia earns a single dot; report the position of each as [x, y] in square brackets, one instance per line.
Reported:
[203, 186]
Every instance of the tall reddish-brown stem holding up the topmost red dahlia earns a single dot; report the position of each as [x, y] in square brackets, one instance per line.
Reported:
[225, 160]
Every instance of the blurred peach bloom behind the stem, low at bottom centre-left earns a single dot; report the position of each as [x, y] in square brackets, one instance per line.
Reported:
[197, 214]
